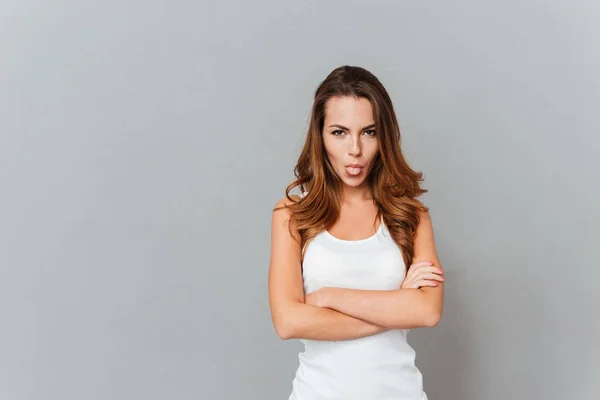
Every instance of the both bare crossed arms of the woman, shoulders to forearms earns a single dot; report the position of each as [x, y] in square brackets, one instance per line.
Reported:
[341, 314]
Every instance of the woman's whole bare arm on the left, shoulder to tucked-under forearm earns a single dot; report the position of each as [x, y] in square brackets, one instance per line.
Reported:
[292, 318]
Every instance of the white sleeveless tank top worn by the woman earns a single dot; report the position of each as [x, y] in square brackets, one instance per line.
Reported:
[376, 367]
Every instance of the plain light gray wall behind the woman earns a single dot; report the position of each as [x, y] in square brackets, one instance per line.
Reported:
[143, 145]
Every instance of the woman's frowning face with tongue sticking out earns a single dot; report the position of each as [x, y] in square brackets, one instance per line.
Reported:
[350, 139]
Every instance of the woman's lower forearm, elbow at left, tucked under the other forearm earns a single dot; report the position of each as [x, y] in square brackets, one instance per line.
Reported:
[306, 321]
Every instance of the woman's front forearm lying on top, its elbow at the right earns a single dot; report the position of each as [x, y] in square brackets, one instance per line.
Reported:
[395, 309]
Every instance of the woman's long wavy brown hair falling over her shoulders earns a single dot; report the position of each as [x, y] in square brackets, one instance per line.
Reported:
[393, 183]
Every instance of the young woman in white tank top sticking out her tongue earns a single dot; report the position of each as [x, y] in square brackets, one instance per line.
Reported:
[353, 263]
